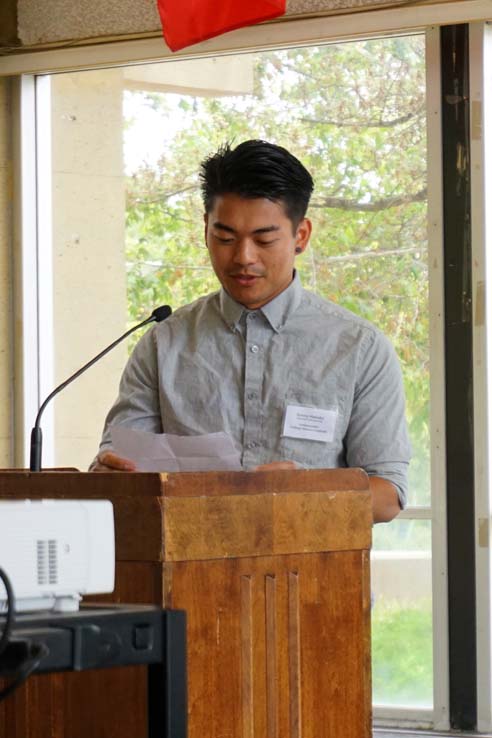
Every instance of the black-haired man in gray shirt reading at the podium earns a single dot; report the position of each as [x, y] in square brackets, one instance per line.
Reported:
[261, 355]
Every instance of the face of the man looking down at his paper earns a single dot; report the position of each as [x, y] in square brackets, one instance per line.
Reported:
[252, 247]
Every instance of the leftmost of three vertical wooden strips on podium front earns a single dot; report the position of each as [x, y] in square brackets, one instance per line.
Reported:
[247, 656]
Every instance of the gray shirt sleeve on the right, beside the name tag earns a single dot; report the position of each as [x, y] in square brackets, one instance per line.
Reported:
[377, 438]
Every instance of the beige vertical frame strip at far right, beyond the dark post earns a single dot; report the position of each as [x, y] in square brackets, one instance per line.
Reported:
[481, 225]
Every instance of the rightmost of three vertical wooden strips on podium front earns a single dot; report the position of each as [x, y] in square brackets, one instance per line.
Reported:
[294, 656]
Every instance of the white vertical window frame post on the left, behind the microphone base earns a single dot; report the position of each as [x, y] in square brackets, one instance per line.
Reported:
[33, 299]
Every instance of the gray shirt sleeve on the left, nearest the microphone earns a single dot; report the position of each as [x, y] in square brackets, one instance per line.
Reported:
[137, 405]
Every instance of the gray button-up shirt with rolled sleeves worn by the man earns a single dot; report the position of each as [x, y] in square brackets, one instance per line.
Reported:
[216, 366]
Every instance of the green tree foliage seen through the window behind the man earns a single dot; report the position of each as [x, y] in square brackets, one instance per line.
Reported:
[354, 113]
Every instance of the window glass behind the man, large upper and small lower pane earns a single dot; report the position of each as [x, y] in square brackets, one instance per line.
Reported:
[128, 236]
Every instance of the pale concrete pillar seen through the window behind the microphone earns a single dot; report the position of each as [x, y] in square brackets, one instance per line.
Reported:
[88, 253]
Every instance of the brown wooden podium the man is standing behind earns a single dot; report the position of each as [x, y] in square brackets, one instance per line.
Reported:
[273, 571]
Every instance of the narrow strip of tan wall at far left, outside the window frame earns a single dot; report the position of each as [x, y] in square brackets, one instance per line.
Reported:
[6, 385]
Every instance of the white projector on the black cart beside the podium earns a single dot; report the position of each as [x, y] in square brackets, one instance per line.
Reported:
[54, 551]
